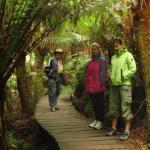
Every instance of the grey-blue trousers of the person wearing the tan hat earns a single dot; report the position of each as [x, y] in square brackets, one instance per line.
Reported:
[53, 91]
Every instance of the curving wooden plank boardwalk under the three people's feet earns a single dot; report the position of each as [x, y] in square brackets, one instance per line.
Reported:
[71, 131]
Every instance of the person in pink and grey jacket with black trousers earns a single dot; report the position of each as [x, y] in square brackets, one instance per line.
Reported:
[95, 78]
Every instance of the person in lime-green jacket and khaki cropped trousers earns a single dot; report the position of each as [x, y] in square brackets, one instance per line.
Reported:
[122, 69]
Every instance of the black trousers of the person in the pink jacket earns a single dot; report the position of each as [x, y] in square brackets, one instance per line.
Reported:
[98, 106]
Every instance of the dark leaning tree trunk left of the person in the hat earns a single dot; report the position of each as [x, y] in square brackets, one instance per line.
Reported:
[26, 98]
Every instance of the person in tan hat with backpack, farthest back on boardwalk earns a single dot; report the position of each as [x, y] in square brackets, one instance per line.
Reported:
[54, 70]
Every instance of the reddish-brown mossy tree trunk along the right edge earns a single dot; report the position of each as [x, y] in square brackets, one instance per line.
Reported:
[142, 22]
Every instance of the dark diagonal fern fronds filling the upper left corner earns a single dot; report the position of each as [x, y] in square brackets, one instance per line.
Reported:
[21, 20]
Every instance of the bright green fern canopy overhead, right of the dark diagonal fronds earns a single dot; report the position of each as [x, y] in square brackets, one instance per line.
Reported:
[95, 21]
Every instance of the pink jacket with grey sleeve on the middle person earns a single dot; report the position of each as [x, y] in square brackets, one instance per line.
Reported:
[96, 75]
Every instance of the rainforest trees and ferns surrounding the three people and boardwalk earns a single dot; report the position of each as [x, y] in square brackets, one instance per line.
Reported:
[31, 30]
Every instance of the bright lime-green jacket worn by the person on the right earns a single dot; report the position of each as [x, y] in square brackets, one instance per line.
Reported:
[123, 67]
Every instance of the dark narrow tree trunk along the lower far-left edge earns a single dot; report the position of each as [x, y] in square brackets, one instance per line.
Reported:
[3, 143]
